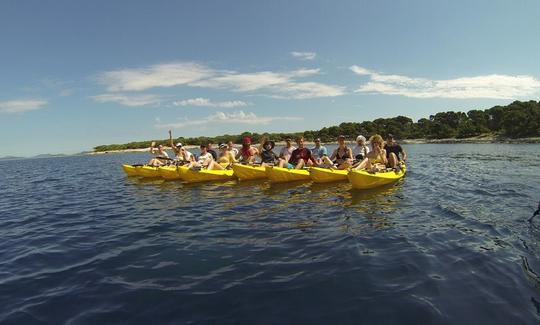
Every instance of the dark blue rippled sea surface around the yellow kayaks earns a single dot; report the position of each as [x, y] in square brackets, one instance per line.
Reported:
[83, 244]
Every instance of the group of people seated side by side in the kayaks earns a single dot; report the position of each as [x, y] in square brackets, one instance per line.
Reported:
[380, 156]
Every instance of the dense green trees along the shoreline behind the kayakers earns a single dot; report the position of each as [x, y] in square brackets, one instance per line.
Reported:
[519, 119]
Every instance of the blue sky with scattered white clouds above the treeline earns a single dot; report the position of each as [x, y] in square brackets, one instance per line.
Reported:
[76, 74]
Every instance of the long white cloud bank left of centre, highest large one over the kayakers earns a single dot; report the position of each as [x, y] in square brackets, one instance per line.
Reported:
[270, 83]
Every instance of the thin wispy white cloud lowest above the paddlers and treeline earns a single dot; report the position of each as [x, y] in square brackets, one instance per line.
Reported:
[238, 117]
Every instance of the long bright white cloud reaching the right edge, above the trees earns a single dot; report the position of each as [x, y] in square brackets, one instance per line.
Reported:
[486, 86]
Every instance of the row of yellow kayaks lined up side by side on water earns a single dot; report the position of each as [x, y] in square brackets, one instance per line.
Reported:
[359, 179]
